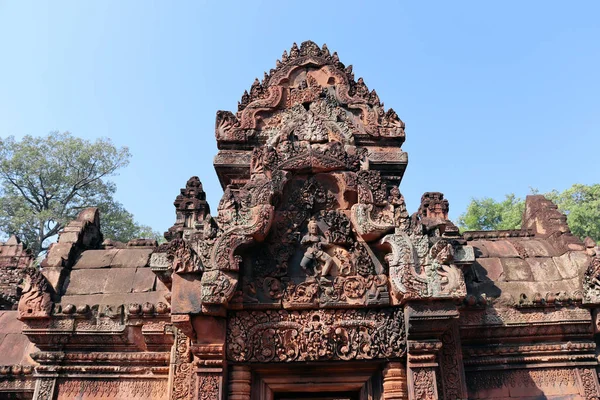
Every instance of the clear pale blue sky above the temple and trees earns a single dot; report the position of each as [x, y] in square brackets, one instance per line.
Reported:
[497, 97]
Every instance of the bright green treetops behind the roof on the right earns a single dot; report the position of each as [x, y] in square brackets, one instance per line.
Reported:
[581, 204]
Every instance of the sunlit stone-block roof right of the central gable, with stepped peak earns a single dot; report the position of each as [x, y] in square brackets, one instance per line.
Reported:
[543, 260]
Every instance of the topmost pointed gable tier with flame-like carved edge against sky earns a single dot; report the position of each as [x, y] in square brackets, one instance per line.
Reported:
[310, 97]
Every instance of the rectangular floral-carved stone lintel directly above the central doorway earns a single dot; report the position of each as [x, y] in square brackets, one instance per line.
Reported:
[282, 336]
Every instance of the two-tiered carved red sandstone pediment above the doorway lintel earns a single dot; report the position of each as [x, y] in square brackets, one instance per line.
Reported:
[314, 221]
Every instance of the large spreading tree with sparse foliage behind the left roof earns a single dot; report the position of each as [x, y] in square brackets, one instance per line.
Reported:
[46, 181]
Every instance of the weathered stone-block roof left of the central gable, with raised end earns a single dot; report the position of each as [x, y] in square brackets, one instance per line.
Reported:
[84, 271]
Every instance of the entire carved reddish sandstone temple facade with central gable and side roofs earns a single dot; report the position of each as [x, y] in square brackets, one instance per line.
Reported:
[312, 280]
